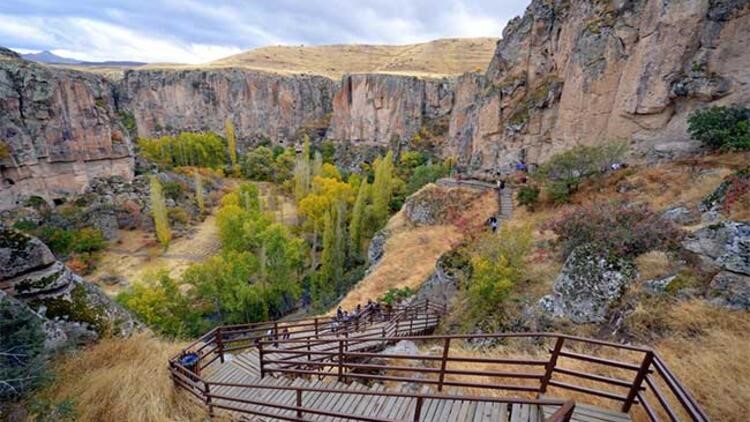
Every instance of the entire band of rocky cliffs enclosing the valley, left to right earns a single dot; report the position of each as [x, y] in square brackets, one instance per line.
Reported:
[566, 72]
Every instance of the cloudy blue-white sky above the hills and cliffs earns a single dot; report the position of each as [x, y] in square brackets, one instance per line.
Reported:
[198, 31]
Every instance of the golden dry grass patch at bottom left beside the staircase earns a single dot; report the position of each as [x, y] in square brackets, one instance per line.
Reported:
[122, 380]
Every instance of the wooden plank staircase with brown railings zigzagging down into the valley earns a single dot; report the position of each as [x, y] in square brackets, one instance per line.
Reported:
[321, 371]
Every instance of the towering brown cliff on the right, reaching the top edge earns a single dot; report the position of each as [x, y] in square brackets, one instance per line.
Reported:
[571, 72]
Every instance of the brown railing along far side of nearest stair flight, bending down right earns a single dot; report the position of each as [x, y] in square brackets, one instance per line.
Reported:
[639, 381]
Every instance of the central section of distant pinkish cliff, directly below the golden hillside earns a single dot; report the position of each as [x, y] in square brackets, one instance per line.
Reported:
[387, 110]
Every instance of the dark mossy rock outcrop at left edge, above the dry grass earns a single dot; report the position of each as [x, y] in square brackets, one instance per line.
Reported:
[31, 275]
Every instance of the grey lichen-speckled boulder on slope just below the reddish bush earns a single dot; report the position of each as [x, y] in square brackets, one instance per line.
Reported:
[588, 284]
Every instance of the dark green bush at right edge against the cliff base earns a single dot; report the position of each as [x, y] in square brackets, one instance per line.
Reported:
[724, 128]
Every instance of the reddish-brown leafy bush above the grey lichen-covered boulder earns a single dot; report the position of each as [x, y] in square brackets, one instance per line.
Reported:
[626, 230]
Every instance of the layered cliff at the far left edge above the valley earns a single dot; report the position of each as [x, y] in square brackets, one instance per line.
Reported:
[58, 129]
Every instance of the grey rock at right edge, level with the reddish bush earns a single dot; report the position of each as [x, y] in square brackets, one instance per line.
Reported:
[722, 246]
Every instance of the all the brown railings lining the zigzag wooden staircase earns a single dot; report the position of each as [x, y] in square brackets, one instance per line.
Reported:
[325, 352]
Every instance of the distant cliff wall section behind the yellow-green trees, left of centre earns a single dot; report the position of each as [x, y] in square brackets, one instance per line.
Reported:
[261, 105]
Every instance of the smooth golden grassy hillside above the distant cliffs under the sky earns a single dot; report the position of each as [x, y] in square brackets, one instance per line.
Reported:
[444, 57]
